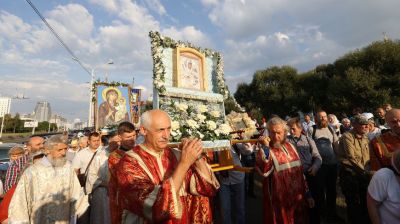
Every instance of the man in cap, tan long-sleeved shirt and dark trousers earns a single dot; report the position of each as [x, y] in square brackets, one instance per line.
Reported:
[353, 155]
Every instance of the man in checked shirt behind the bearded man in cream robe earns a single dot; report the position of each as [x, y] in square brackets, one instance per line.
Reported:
[34, 145]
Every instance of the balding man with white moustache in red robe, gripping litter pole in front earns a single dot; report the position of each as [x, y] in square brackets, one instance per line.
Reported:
[161, 185]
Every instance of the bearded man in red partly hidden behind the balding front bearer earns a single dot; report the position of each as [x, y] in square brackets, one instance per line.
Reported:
[124, 141]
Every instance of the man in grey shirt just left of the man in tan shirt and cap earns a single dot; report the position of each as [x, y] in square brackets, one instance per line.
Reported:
[325, 139]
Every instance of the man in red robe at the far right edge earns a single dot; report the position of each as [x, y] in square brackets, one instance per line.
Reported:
[384, 145]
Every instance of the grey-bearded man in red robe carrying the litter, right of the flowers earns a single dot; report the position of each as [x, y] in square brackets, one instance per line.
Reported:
[285, 190]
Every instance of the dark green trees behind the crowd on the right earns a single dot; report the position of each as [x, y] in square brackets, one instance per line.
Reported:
[366, 78]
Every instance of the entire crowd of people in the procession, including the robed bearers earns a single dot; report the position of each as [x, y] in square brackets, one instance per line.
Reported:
[132, 176]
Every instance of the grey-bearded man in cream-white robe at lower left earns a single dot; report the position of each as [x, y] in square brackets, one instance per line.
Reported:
[47, 190]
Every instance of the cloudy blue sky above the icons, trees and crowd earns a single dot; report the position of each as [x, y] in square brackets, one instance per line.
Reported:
[250, 34]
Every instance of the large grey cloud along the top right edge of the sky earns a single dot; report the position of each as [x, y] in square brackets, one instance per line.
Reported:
[349, 23]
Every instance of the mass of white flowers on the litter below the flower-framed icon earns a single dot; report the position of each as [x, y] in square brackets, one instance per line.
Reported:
[189, 121]
